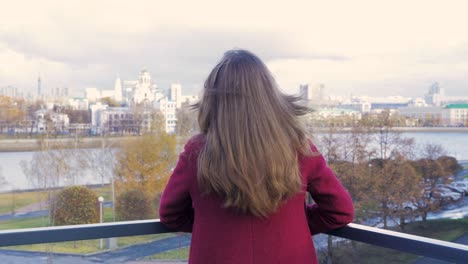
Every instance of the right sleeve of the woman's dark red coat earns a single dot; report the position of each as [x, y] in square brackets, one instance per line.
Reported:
[333, 206]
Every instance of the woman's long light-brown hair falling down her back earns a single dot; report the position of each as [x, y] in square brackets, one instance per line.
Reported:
[253, 136]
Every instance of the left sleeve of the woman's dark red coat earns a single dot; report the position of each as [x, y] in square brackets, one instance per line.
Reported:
[175, 210]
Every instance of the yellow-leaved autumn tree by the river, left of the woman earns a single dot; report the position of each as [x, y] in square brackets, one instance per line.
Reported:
[144, 163]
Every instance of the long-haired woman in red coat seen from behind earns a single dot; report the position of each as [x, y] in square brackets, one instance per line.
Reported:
[240, 185]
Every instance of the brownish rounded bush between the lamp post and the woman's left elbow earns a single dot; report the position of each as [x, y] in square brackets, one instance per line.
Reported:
[134, 205]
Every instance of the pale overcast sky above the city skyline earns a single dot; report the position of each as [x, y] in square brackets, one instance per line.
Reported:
[353, 47]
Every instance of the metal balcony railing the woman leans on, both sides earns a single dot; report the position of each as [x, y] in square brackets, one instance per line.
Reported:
[428, 247]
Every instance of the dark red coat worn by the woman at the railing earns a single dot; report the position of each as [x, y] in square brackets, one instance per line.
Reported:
[221, 235]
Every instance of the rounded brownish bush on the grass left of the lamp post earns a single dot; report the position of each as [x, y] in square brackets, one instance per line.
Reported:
[75, 205]
